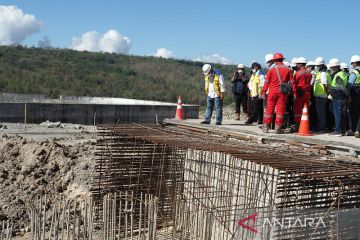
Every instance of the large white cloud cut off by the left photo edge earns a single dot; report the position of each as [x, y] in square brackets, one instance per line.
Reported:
[16, 25]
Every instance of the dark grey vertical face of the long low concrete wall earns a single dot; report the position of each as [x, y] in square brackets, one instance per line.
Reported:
[84, 113]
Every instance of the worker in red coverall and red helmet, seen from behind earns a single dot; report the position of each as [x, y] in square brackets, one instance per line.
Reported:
[276, 100]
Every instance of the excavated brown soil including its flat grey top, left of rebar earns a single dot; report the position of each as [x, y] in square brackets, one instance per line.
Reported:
[42, 160]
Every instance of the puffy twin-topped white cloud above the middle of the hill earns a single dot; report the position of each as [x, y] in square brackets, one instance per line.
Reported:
[111, 41]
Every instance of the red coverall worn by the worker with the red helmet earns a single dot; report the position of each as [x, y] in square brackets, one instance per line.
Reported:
[275, 98]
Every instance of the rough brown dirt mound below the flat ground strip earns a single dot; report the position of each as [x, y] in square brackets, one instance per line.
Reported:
[33, 167]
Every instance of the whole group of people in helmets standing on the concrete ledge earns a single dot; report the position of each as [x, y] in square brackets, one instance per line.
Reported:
[278, 94]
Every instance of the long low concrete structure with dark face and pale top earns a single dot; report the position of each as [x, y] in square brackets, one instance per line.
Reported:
[83, 110]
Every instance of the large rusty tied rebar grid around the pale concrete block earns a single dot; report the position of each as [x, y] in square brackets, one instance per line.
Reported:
[206, 183]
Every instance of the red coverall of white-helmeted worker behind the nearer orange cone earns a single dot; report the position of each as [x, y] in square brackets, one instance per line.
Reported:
[302, 92]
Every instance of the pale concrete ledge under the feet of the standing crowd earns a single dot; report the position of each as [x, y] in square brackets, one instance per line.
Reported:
[345, 145]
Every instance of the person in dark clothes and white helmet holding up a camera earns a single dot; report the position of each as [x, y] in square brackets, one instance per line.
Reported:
[239, 83]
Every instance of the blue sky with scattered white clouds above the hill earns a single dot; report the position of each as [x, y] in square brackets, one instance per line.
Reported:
[214, 31]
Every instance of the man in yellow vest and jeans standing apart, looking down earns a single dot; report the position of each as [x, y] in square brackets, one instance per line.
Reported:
[214, 89]
